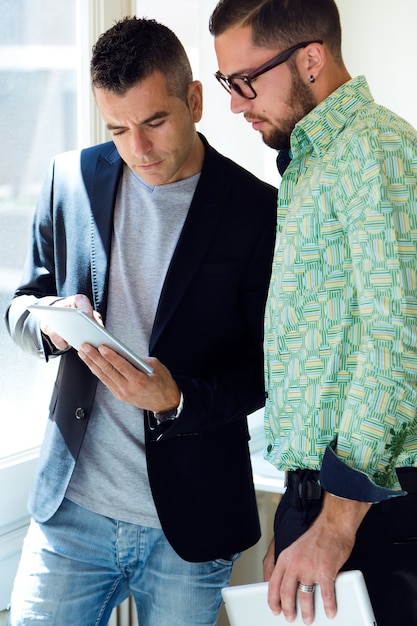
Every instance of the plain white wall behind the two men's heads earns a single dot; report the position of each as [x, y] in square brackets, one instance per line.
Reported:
[378, 38]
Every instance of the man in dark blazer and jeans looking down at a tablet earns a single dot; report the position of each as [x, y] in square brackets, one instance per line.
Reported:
[144, 483]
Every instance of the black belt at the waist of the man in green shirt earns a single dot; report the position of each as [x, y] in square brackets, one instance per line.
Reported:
[306, 483]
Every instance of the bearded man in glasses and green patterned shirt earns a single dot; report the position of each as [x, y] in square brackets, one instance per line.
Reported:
[341, 316]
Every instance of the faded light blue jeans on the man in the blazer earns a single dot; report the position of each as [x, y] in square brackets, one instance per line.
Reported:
[79, 565]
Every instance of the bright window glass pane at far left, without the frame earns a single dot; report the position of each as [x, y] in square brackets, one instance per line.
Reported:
[38, 117]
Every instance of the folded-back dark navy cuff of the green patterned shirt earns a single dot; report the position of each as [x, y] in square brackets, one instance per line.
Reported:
[343, 481]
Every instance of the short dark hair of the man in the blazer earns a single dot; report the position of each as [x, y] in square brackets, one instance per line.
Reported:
[132, 50]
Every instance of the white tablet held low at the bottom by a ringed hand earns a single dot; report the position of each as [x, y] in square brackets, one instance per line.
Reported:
[247, 605]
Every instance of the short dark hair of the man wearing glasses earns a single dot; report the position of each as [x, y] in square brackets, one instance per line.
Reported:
[281, 22]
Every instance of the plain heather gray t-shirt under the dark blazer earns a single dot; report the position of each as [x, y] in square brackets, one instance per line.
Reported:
[110, 477]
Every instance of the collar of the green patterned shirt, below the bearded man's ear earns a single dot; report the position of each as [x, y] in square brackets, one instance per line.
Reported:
[319, 127]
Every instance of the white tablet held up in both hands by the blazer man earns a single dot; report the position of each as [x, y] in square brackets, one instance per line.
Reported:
[76, 327]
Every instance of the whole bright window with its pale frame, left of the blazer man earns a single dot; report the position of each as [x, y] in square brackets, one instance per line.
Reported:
[45, 108]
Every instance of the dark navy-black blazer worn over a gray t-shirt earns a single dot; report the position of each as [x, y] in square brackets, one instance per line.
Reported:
[208, 331]
